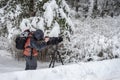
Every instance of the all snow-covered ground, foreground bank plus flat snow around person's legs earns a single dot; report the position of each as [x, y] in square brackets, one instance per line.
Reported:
[97, 70]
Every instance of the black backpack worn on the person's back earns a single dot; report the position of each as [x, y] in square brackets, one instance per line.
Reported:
[21, 40]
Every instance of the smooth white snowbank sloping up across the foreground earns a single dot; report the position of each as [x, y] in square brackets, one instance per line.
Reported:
[99, 70]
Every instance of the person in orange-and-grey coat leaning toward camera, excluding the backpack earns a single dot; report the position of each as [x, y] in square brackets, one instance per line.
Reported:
[31, 46]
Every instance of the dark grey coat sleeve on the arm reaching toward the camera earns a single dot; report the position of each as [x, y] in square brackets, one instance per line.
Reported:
[36, 45]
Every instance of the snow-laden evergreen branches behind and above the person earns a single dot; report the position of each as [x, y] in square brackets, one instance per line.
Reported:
[34, 14]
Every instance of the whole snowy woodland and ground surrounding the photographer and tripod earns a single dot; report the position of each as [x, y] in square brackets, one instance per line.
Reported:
[90, 30]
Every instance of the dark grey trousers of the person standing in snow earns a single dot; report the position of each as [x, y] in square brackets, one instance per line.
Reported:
[31, 63]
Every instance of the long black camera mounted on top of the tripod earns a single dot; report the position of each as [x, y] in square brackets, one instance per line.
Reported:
[54, 40]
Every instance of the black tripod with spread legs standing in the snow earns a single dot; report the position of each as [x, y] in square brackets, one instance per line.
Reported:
[54, 57]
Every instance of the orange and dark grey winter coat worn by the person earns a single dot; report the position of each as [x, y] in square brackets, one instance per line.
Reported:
[32, 43]
